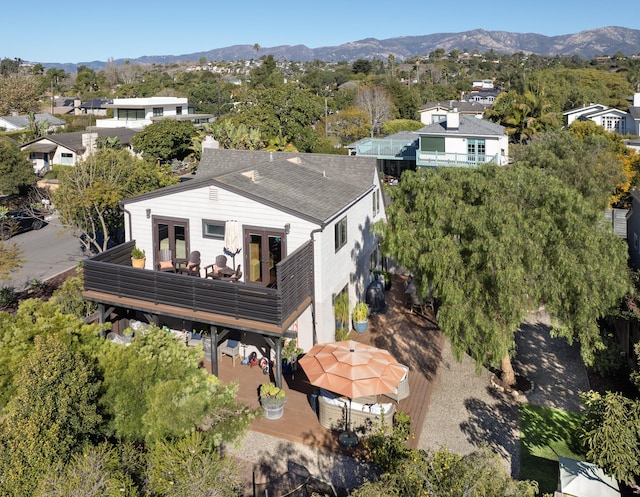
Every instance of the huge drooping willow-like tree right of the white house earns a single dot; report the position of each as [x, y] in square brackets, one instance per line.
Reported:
[494, 244]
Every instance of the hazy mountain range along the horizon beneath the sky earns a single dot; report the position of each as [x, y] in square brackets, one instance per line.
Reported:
[585, 44]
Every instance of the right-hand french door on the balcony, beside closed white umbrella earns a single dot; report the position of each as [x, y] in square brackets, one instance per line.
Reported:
[266, 248]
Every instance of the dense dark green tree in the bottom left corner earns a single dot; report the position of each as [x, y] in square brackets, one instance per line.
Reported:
[53, 413]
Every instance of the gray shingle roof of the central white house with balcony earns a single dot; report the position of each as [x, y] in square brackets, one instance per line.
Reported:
[316, 187]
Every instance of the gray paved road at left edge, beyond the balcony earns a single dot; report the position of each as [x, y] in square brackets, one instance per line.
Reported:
[49, 251]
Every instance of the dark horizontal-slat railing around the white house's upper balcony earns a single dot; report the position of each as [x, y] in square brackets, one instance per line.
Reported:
[111, 272]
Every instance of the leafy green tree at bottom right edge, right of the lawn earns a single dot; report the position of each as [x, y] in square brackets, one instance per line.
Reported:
[611, 434]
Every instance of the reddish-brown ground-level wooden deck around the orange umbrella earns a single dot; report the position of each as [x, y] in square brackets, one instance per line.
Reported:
[413, 340]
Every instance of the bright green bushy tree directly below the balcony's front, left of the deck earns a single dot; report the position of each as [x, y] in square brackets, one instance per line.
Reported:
[174, 398]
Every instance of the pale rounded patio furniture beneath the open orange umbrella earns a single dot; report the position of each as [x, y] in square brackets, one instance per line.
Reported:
[332, 412]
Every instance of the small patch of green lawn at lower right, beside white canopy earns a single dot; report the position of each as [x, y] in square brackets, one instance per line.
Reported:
[545, 434]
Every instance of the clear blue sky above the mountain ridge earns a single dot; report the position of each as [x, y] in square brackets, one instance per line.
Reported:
[72, 31]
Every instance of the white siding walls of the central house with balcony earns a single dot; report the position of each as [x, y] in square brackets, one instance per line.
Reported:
[350, 265]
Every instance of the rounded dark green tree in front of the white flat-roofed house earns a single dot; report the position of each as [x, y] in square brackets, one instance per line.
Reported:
[165, 140]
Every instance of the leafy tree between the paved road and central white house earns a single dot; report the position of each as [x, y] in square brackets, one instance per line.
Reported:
[88, 196]
